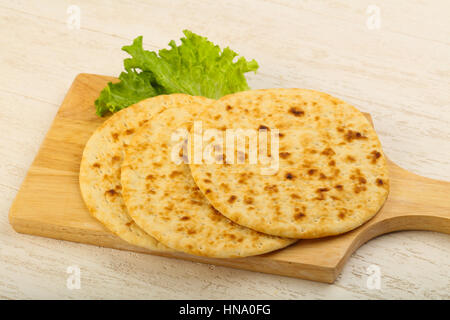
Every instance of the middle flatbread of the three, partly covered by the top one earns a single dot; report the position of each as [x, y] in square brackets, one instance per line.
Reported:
[163, 199]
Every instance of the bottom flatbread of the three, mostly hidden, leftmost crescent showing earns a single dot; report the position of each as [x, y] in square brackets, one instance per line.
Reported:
[100, 167]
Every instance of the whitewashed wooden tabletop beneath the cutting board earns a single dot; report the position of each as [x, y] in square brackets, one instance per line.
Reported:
[398, 70]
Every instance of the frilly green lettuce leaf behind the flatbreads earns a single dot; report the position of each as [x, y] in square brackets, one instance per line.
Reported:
[195, 67]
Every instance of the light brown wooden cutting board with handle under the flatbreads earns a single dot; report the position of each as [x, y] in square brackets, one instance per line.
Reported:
[49, 202]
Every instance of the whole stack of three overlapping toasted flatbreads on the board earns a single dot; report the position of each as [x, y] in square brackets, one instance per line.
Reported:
[143, 185]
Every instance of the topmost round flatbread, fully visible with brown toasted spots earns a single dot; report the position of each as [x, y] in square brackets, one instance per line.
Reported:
[328, 176]
